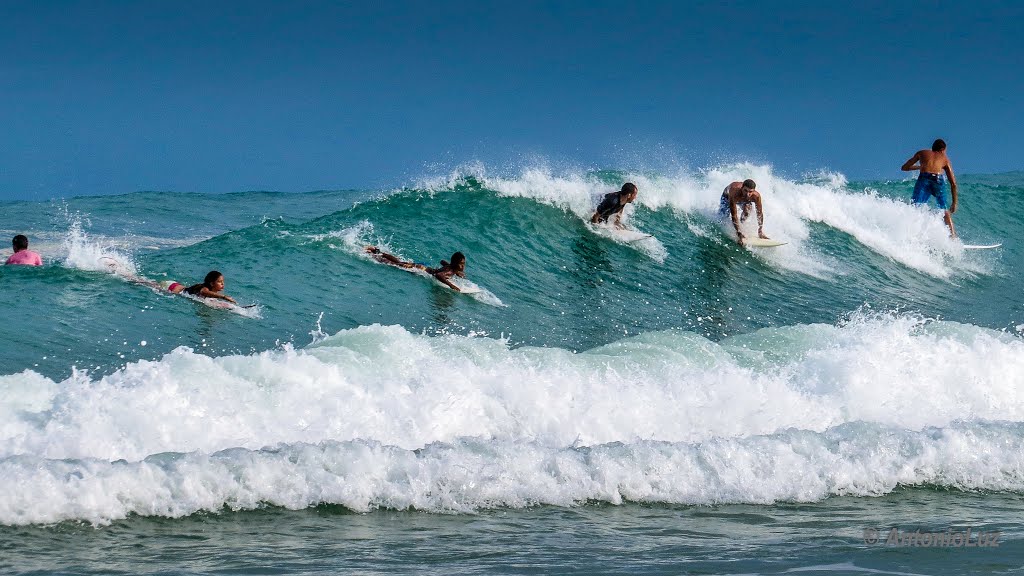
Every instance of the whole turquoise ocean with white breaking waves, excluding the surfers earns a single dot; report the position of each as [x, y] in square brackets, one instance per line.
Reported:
[849, 403]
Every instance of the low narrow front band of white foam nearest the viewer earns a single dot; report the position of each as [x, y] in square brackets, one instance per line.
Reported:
[468, 475]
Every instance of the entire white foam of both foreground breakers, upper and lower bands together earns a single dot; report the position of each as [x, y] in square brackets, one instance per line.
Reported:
[378, 418]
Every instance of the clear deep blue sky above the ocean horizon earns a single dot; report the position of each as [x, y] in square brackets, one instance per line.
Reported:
[104, 98]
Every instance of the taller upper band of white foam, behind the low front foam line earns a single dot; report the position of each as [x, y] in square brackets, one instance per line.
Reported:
[388, 385]
